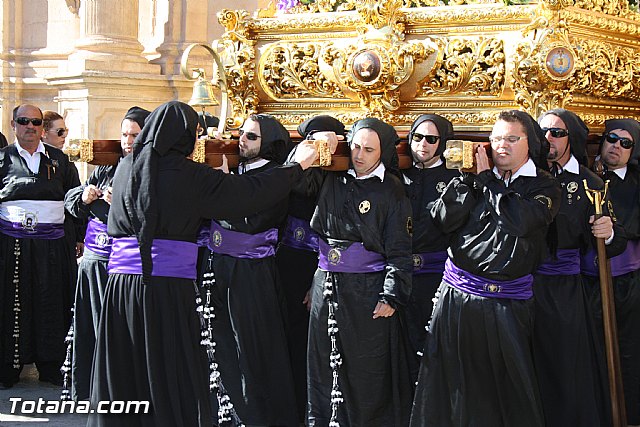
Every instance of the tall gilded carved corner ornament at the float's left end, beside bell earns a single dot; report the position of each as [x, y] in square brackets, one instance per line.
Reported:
[238, 53]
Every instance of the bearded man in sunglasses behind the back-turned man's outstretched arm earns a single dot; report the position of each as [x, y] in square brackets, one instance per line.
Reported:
[246, 296]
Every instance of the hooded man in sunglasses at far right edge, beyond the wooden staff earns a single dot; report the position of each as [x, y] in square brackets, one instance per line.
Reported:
[619, 154]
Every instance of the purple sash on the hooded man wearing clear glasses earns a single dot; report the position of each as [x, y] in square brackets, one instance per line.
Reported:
[520, 288]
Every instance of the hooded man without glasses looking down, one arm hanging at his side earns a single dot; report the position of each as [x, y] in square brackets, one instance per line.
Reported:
[358, 371]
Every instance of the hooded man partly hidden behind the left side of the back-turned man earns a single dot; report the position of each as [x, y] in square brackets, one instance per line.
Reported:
[91, 202]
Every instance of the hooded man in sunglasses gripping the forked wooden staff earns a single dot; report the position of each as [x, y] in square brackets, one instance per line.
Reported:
[563, 344]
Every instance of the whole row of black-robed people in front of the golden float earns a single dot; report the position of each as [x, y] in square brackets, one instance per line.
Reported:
[281, 294]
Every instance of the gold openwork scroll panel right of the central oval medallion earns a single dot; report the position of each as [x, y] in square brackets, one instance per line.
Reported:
[469, 66]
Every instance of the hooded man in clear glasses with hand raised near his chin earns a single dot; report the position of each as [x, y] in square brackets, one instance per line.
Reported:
[478, 366]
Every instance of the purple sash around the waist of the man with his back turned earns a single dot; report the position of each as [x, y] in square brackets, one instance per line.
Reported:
[171, 258]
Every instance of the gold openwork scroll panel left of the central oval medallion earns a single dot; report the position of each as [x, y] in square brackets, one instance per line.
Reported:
[291, 70]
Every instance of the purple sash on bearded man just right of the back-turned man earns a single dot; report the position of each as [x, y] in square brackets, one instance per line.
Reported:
[243, 245]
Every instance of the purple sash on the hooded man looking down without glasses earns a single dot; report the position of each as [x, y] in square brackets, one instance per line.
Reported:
[354, 259]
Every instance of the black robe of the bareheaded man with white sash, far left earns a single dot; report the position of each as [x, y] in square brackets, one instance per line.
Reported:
[45, 268]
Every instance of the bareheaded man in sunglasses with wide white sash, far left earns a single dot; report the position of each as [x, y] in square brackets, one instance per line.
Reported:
[35, 301]
